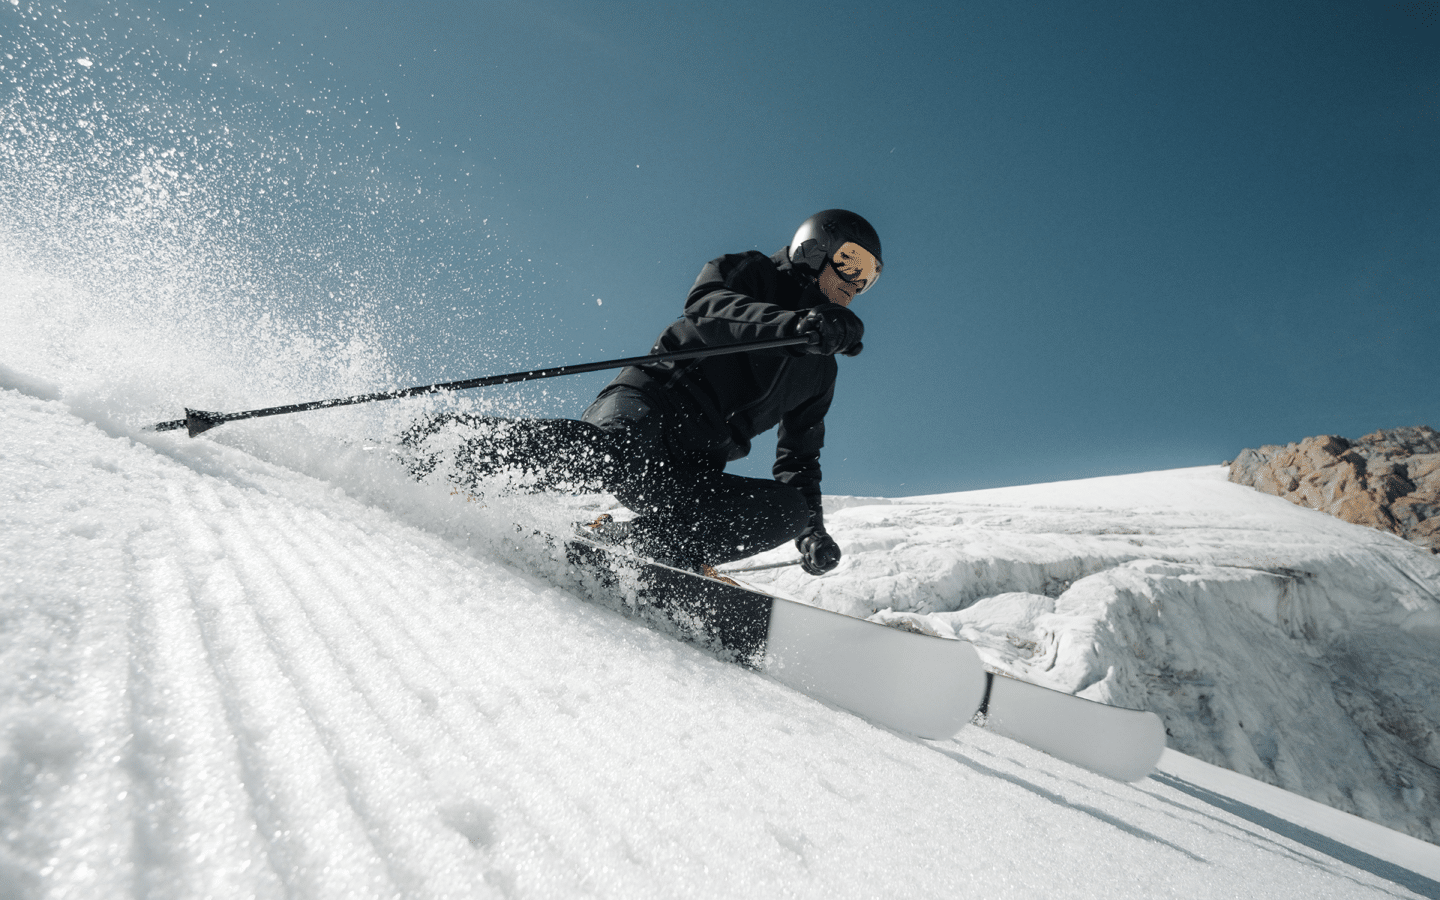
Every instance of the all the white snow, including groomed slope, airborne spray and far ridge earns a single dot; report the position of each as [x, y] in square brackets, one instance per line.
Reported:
[266, 663]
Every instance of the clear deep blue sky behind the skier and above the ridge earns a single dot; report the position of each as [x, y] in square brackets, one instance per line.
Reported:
[1120, 237]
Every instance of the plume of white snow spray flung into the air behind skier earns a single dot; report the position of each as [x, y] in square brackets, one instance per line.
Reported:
[174, 218]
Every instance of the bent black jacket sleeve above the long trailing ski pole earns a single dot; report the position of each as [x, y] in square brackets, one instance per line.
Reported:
[732, 302]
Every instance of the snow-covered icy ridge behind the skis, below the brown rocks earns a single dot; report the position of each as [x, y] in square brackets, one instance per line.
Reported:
[1274, 640]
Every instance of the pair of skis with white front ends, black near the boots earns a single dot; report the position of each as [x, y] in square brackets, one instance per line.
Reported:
[905, 680]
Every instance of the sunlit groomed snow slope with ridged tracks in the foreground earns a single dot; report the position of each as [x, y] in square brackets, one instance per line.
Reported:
[264, 666]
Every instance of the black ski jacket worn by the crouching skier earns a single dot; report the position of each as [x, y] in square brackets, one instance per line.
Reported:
[726, 401]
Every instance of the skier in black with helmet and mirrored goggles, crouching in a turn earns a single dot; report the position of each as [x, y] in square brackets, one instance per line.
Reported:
[659, 437]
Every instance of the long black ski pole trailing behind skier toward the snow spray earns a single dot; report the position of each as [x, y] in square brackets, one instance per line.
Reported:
[199, 421]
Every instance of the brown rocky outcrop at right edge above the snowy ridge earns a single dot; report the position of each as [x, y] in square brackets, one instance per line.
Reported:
[1389, 480]
